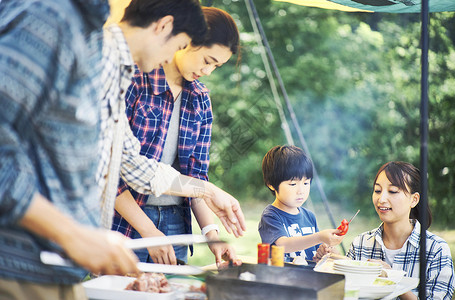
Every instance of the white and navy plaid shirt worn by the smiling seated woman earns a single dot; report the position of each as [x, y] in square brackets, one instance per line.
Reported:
[440, 273]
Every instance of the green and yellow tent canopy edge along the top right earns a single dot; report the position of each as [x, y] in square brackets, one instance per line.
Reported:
[390, 6]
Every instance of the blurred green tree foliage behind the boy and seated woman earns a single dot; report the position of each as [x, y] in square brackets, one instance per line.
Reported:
[354, 83]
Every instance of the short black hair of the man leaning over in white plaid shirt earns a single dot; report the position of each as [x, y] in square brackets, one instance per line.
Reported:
[188, 16]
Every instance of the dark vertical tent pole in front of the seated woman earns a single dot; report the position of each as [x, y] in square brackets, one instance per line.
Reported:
[424, 146]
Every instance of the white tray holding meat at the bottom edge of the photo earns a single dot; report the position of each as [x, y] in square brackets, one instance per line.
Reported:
[110, 287]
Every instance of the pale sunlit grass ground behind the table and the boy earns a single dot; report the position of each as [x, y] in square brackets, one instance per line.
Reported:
[247, 245]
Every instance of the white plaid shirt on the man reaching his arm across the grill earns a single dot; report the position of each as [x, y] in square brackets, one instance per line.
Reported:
[119, 148]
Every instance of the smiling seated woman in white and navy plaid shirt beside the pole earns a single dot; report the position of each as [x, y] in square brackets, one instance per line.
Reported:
[395, 243]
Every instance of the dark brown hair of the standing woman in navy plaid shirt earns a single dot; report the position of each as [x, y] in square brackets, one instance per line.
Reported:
[222, 30]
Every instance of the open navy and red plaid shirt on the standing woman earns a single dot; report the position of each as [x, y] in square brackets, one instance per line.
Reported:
[149, 105]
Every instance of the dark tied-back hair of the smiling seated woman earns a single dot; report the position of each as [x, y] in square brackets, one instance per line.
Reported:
[407, 178]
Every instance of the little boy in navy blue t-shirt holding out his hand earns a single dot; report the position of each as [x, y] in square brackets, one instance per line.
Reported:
[288, 172]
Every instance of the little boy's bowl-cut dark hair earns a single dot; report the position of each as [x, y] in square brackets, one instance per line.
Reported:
[283, 163]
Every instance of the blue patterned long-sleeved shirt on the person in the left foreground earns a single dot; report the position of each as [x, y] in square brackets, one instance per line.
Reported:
[50, 62]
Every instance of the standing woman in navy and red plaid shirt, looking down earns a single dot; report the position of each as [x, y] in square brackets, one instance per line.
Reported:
[170, 112]
